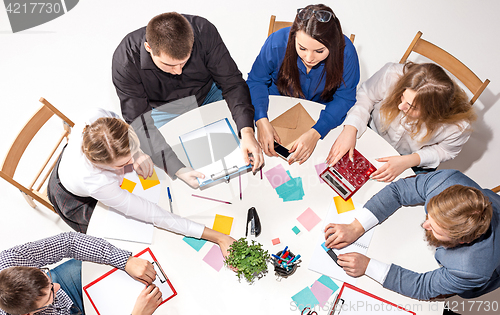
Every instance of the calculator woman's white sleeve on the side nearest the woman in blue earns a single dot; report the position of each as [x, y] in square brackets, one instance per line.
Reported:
[372, 92]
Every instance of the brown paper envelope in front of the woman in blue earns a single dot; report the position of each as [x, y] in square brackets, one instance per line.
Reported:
[292, 124]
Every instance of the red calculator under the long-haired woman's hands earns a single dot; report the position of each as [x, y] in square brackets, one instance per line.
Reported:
[346, 177]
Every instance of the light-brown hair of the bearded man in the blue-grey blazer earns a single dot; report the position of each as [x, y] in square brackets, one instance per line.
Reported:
[464, 212]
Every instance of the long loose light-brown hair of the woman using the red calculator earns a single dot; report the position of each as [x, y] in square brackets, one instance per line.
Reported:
[439, 99]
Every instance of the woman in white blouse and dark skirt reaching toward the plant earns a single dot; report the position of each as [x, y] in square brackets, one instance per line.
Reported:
[91, 169]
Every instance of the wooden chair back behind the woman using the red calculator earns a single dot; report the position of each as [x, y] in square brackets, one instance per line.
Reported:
[450, 63]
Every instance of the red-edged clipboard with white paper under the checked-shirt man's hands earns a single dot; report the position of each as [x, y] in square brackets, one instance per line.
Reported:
[116, 292]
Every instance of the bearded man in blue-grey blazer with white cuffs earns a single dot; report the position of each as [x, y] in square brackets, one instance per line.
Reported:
[462, 223]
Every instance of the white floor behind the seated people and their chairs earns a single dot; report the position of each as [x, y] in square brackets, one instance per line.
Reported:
[68, 61]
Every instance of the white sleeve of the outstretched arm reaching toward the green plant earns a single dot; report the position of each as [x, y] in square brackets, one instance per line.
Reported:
[134, 206]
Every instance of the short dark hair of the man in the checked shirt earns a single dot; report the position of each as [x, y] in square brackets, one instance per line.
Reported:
[21, 288]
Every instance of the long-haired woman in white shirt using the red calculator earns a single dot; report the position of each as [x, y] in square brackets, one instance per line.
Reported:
[418, 109]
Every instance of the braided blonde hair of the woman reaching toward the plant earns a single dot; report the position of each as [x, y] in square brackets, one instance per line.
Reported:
[108, 139]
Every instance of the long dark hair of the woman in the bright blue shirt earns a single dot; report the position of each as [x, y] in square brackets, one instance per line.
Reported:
[329, 34]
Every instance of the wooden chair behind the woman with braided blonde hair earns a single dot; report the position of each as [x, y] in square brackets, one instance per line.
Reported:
[19, 146]
